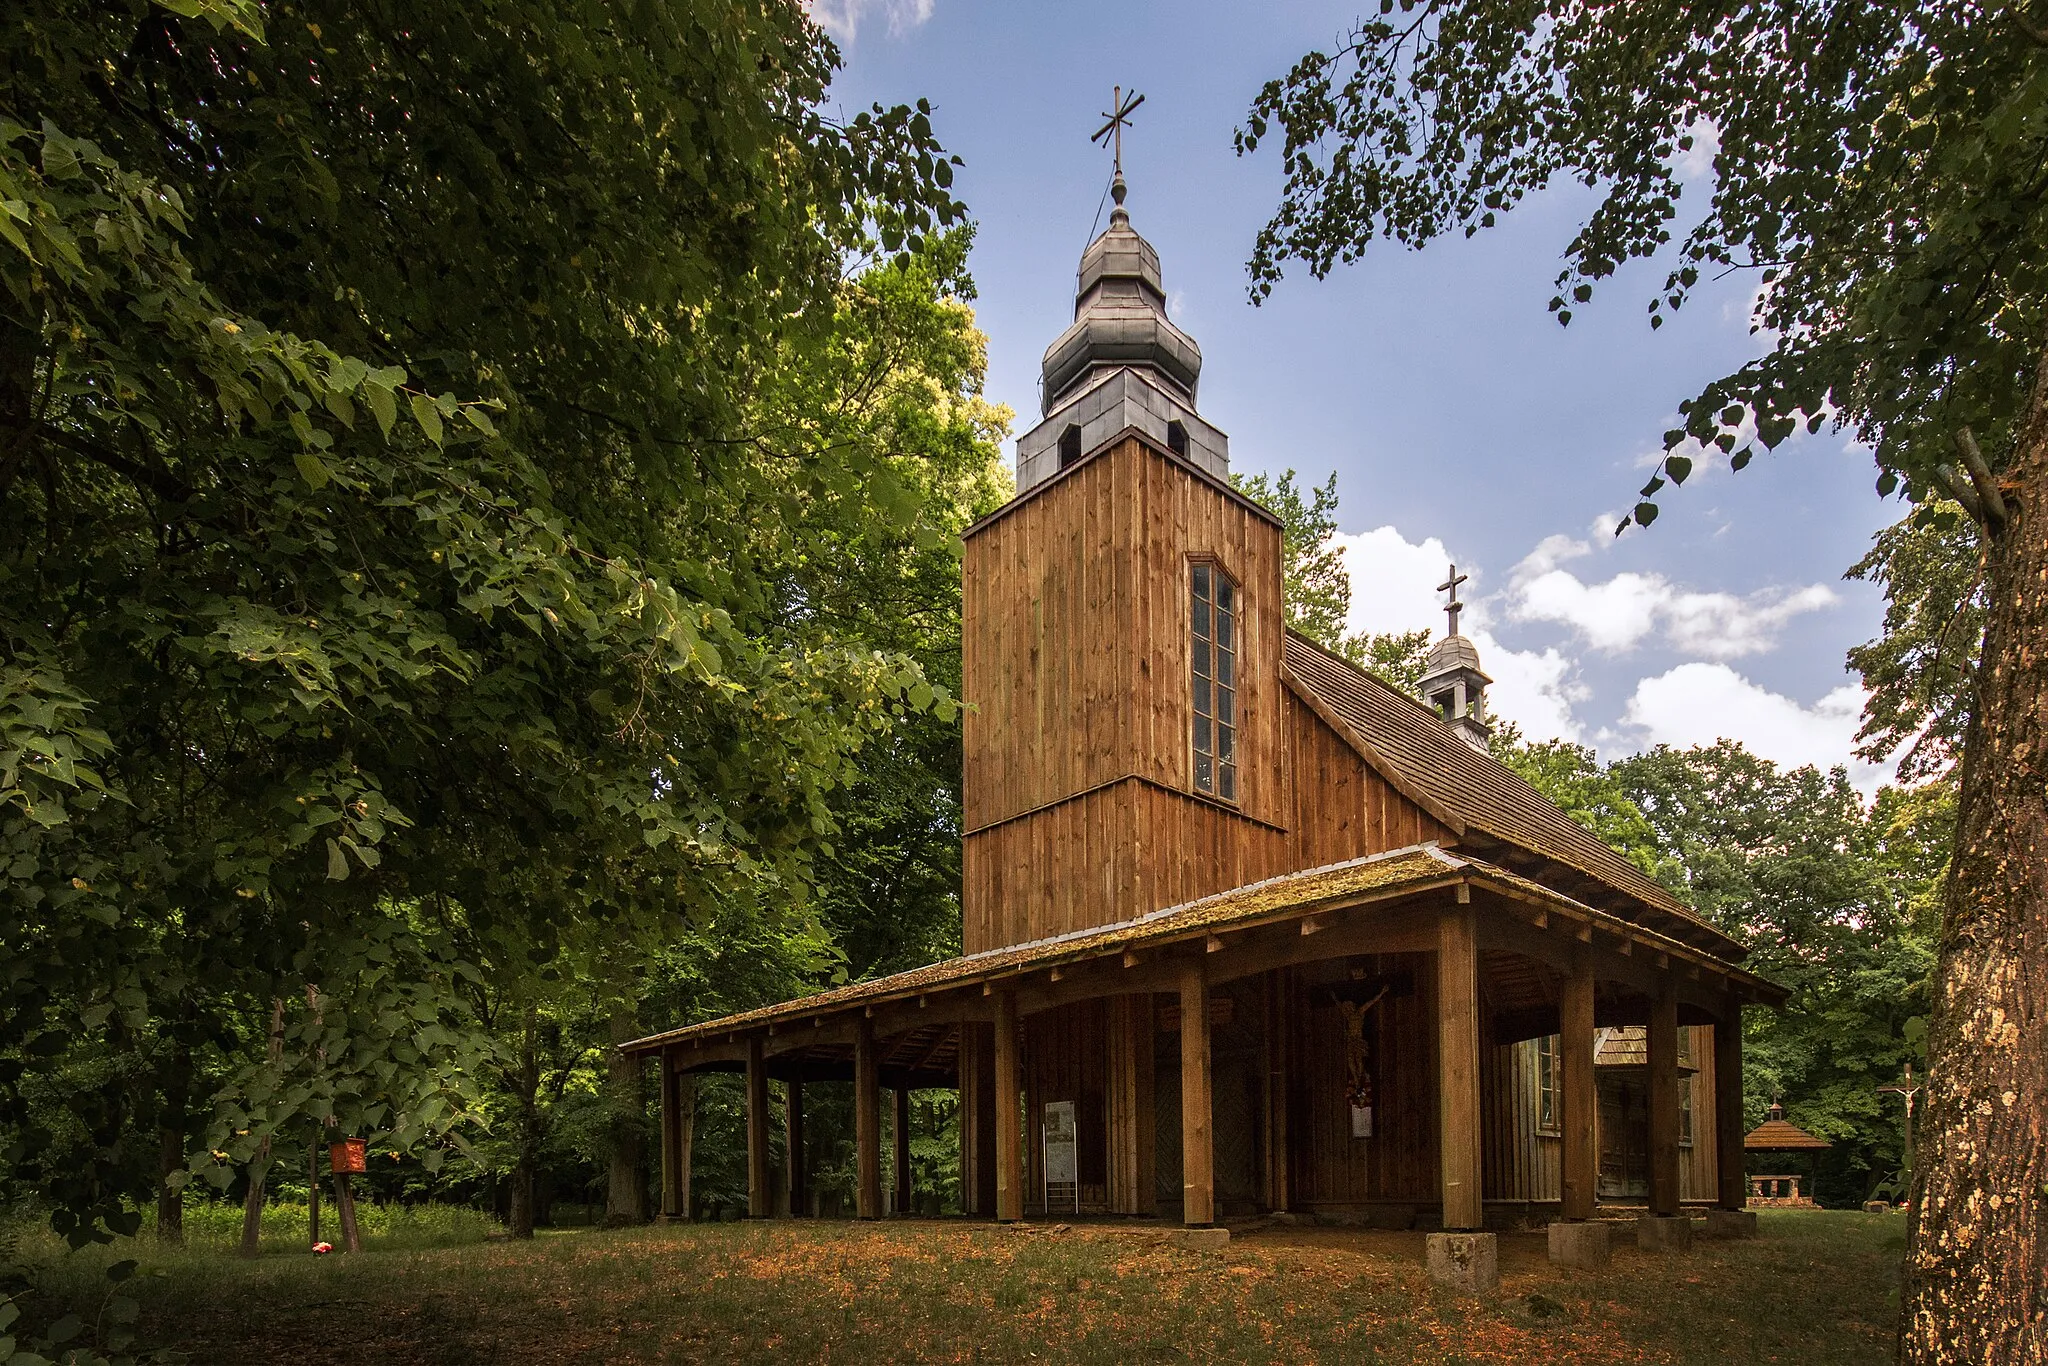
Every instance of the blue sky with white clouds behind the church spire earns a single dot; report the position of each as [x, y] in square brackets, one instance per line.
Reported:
[1461, 421]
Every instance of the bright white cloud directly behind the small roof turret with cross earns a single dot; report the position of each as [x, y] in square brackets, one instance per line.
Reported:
[1394, 589]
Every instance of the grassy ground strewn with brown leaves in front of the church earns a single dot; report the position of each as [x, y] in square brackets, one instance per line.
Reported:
[1816, 1289]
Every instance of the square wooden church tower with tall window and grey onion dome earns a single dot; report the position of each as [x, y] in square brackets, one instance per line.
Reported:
[1123, 634]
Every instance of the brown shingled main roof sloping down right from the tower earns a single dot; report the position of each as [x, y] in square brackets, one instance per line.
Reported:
[1476, 792]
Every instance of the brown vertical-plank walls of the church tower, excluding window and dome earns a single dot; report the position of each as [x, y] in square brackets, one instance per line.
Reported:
[1078, 785]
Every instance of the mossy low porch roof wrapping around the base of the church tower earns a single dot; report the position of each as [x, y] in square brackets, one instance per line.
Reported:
[1295, 896]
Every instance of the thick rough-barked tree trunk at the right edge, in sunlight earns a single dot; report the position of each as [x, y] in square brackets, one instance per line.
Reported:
[1975, 1263]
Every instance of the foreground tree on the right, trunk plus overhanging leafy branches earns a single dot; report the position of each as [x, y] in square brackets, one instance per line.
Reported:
[1879, 171]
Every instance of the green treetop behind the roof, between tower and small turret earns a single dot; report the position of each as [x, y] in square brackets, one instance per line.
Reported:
[1320, 589]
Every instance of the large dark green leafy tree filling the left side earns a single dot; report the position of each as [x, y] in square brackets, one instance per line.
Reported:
[394, 550]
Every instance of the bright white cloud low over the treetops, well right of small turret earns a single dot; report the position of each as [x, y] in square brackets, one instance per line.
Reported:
[1701, 703]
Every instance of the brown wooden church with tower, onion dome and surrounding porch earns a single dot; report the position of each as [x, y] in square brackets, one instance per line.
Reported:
[1246, 931]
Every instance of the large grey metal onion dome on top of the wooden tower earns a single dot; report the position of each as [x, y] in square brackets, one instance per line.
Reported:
[1121, 366]
